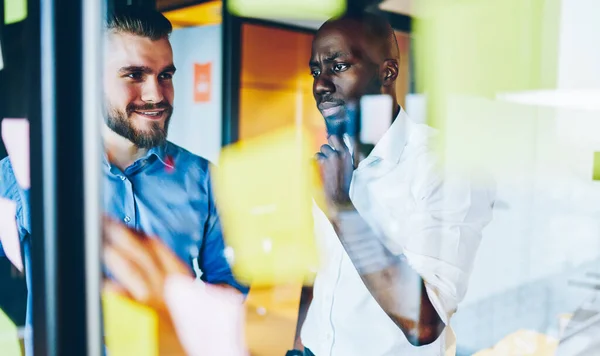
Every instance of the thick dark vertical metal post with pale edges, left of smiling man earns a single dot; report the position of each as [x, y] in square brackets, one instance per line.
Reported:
[65, 164]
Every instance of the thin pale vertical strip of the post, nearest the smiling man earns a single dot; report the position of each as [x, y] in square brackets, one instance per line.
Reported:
[93, 96]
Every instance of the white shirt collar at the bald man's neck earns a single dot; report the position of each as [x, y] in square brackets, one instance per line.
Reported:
[391, 145]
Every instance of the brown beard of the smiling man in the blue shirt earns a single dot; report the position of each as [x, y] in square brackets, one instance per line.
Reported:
[121, 123]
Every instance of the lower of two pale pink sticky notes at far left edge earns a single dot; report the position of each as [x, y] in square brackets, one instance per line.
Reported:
[9, 234]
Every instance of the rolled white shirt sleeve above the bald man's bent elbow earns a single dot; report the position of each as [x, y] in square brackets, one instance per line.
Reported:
[445, 232]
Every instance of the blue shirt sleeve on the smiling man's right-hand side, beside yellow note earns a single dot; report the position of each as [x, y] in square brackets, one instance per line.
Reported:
[212, 261]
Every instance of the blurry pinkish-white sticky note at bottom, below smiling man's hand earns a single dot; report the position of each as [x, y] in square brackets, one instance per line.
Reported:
[209, 319]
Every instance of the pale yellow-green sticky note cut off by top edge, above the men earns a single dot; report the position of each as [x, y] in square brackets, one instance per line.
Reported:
[288, 9]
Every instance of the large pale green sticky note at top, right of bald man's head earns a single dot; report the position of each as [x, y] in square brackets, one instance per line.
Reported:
[482, 49]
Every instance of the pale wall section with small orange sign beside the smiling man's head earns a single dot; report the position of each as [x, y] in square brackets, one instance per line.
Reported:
[196, 121]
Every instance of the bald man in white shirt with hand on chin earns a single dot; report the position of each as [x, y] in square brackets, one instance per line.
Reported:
[398, 237]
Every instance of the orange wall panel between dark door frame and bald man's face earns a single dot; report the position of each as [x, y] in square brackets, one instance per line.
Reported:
[275, 81]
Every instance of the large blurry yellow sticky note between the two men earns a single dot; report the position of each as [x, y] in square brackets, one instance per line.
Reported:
[264, 192]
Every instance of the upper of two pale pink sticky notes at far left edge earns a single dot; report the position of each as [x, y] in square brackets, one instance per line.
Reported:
[15, 134]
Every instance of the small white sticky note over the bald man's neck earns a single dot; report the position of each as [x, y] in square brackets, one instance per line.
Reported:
[375, 117]
